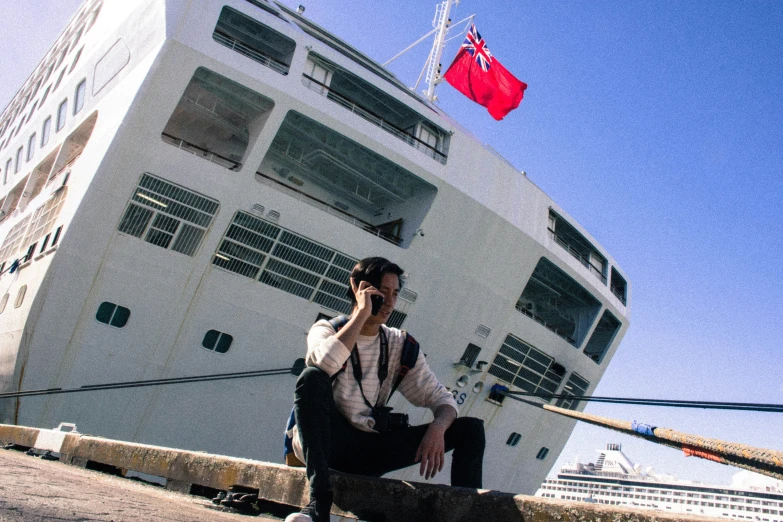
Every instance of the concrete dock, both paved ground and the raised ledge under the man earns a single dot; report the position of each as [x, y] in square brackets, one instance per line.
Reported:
[31, 489]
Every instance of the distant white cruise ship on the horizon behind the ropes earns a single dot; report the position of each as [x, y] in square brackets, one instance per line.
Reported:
[613, 479]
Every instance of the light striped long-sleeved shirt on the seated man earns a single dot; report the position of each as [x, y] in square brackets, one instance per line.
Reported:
[420, 387]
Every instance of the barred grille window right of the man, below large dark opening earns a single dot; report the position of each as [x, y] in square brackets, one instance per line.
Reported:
[529, 369]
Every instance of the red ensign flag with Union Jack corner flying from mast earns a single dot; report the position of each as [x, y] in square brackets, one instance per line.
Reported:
[479, 76]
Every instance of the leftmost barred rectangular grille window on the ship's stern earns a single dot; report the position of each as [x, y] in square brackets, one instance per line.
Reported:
[168, 215]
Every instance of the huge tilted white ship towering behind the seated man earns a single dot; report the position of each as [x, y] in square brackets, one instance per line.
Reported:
[185, 186]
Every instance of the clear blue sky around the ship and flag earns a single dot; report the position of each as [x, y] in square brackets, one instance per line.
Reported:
[659, 127]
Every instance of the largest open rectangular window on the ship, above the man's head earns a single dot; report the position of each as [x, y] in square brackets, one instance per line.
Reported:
[341, 177]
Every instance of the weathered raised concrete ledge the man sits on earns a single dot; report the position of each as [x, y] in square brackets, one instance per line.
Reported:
[367, 498]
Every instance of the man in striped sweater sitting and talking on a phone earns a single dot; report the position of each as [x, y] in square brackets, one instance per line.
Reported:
[340, 420]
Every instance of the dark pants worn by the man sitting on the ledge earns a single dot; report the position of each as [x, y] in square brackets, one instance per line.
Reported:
[330, 441]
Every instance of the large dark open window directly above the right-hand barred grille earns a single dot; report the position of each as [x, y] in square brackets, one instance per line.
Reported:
[553, 299]
